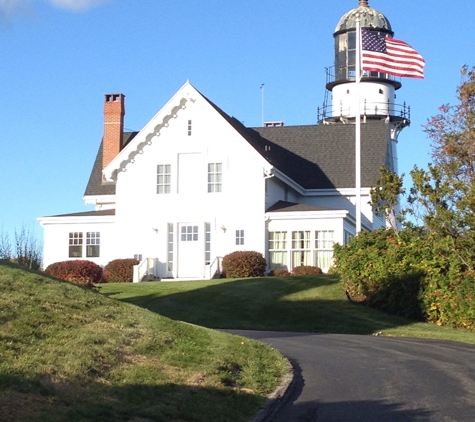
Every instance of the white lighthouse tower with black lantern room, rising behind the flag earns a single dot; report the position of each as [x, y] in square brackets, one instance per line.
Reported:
[377, 91]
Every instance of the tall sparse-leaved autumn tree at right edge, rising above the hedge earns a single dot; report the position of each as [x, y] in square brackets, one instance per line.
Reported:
[446, 190]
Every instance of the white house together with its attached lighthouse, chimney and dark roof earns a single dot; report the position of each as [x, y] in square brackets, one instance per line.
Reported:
[195, 184]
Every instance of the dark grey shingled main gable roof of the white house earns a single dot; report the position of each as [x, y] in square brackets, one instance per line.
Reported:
[314, 156]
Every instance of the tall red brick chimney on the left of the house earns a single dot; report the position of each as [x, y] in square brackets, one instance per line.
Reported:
[114, 111]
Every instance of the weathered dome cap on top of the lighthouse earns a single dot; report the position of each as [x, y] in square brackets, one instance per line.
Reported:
[369, 18]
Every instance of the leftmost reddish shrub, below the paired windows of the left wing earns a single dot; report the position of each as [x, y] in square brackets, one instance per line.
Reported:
[80, 272]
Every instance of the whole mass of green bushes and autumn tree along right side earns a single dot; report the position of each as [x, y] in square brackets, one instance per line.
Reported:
[426, 272]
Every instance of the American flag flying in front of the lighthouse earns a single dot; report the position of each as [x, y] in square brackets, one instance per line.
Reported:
[387, 55]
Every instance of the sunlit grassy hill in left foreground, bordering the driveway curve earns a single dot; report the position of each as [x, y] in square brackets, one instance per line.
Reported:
[71, 354]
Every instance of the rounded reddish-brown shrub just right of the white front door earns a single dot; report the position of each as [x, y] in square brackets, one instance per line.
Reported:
[244, 264]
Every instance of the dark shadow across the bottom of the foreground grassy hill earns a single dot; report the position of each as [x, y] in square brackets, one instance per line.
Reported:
[44, 398]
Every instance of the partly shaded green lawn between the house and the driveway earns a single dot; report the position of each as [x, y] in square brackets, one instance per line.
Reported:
[297, 303]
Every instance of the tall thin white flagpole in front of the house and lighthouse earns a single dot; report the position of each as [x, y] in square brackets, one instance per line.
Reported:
[358, 127]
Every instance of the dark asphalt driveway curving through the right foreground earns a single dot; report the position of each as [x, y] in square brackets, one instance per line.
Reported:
[375, 379]
